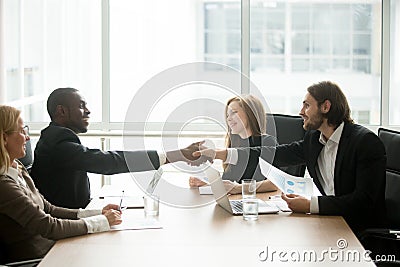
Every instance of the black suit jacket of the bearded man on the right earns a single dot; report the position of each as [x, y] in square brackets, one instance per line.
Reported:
[359, 176]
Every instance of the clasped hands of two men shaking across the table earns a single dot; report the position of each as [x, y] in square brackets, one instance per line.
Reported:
[195, 154]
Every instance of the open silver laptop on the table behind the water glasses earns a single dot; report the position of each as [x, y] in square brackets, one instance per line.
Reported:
[234, 207]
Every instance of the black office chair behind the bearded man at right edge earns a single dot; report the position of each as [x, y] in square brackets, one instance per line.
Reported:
[381, 241]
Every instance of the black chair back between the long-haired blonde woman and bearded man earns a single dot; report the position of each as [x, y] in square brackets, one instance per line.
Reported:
[287, 130]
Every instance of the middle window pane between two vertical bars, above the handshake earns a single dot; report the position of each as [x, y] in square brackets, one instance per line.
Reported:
[148, 37]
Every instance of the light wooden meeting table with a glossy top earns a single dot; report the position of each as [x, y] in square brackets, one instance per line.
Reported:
[207, 235]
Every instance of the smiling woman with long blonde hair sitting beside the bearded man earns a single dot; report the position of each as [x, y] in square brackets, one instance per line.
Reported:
[246, 122]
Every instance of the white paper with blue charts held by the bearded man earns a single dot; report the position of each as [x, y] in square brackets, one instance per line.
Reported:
[287, 183]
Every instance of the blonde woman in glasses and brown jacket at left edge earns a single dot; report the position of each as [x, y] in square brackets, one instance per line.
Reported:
[29, 223]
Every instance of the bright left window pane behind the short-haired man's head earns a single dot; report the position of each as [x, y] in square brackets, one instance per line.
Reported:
[51, 44]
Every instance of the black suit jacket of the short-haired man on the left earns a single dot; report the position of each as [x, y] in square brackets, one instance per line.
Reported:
[61, 164]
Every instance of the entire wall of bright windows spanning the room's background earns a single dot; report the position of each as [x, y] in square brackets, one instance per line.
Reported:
[55, 43]
